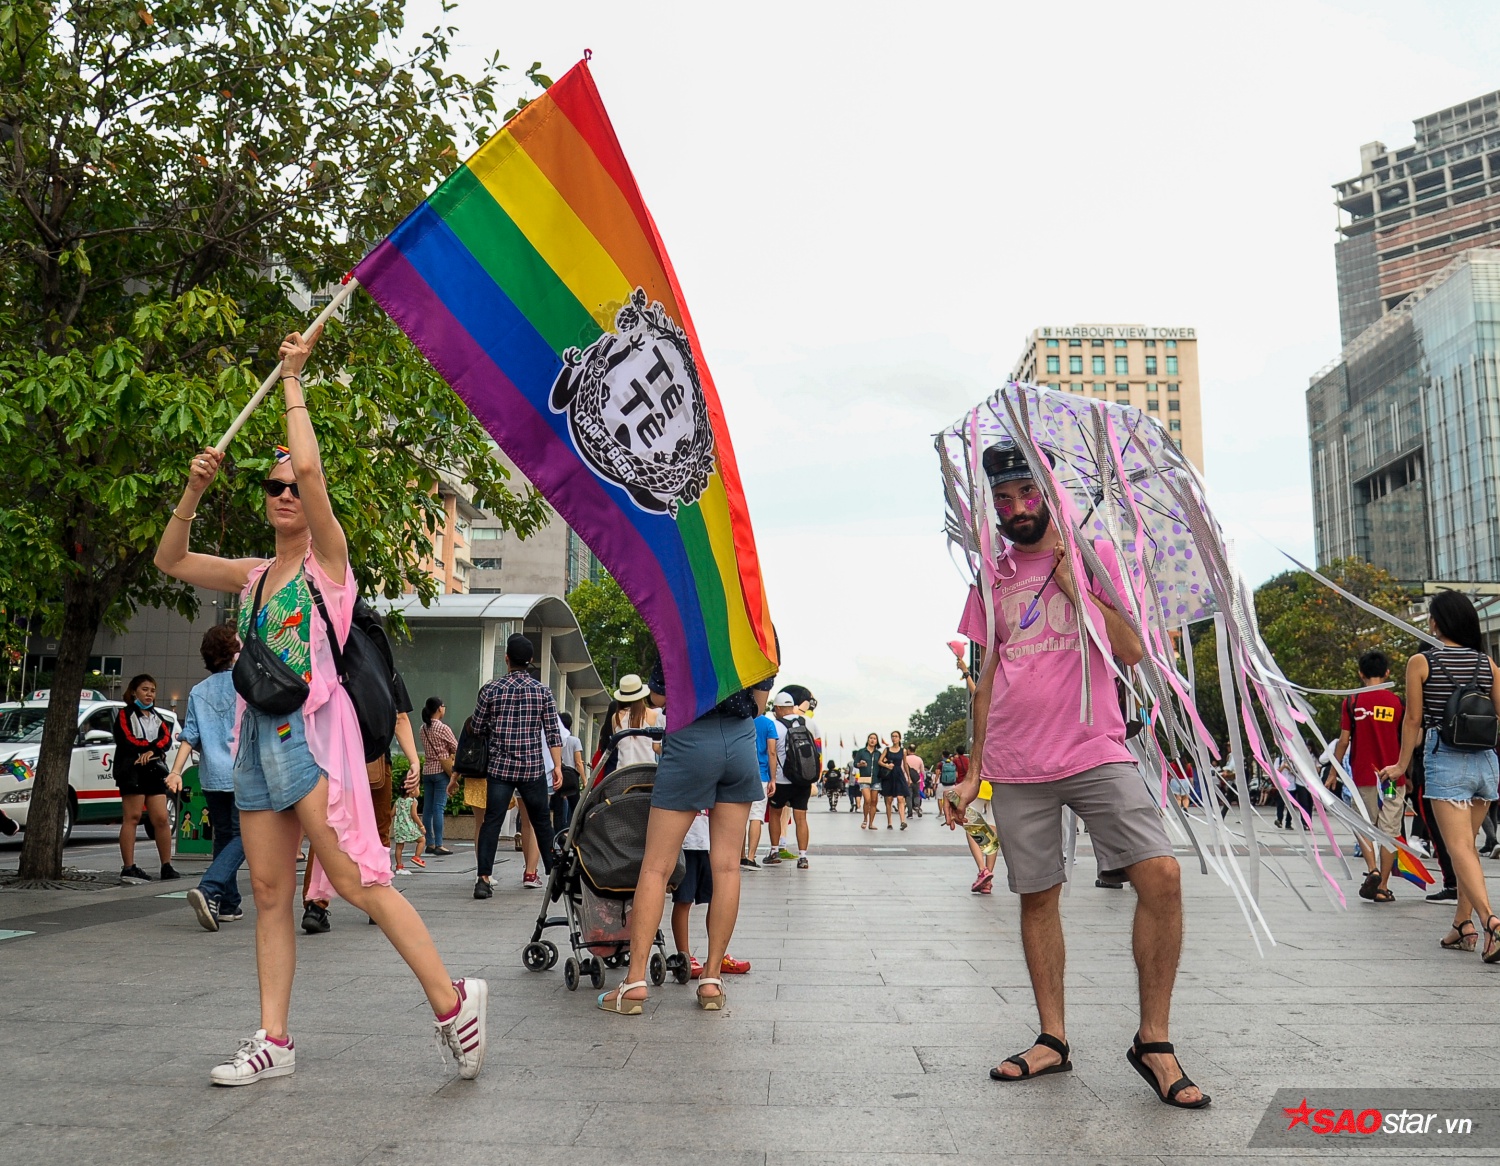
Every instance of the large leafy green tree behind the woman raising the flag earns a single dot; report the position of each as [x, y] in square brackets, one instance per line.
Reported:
[170, 178]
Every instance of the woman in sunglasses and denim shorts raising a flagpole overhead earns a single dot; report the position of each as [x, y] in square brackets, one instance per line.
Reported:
[299, 763]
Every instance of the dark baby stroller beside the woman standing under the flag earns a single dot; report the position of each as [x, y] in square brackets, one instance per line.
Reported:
[595, 879]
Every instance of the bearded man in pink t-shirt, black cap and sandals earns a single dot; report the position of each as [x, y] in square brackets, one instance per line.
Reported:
[1039, 757]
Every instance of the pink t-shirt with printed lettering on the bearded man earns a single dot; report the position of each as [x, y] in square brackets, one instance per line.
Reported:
[1033, 732]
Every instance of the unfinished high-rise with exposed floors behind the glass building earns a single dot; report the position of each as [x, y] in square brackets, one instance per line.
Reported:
[1411, 211]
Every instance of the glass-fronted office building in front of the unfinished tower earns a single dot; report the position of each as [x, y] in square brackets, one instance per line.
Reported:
[1405, 431]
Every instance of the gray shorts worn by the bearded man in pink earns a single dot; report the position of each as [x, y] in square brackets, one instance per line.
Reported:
[1112, 801]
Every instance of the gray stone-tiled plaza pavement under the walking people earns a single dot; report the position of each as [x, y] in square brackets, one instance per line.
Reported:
[881, 993]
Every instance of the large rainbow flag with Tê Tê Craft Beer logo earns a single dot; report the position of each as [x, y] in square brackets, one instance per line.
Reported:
[536, 283]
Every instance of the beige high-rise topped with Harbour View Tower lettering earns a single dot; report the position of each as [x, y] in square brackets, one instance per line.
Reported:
[1153, 368]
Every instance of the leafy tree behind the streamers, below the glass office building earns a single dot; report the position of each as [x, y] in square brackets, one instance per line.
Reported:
[1315, 636]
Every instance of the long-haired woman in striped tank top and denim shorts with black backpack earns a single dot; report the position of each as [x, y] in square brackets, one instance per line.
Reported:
[1460, 784]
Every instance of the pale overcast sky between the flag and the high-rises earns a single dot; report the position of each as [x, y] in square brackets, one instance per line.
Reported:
[869, 208]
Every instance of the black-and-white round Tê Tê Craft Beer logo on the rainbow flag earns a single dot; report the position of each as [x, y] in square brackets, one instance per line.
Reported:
[637, 412]
